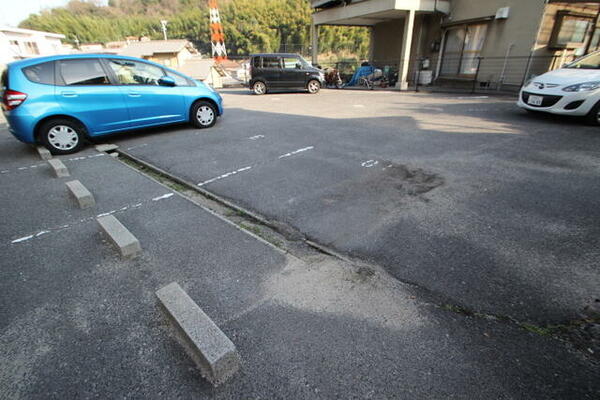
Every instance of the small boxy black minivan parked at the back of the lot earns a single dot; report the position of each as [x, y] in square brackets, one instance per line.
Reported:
[283, 71]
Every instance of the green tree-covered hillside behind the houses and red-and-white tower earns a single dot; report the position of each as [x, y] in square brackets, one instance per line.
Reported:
[250, 25]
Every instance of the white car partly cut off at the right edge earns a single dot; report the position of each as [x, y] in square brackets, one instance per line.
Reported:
[571, 90]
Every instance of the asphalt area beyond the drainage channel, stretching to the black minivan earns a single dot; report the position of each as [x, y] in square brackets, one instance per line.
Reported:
[466, 196]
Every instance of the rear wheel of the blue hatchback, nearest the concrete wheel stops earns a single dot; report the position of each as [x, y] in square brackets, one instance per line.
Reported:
[62, 136]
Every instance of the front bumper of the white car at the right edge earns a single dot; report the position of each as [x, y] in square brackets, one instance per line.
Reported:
[560, 102]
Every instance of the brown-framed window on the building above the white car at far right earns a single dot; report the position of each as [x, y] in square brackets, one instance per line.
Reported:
[570, 30]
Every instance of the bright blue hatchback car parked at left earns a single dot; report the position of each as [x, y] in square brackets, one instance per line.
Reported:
[62, 101]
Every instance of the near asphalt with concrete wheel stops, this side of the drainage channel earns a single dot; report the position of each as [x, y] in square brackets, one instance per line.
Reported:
[77, 321]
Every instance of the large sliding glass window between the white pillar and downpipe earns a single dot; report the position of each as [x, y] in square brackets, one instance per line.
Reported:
[462, 49]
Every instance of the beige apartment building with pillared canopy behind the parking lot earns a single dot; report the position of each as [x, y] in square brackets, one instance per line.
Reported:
[492, 42]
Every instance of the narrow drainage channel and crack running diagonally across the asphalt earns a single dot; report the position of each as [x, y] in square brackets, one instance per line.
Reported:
[289, 240]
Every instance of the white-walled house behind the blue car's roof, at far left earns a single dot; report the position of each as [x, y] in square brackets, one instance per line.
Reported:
[17, 44]
